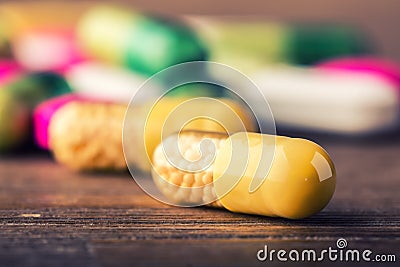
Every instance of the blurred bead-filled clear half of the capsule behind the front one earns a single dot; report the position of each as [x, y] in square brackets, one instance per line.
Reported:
[87, 136]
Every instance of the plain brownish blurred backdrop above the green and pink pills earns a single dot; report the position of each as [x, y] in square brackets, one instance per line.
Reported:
[379, 19]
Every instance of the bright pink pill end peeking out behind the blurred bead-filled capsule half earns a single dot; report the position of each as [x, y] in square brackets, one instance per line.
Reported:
[44, 112]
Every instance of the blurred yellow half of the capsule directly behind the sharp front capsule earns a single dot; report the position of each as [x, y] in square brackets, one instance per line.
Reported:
[149, 122]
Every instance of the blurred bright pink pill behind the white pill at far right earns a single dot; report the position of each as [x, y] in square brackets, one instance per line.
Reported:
[384, 68]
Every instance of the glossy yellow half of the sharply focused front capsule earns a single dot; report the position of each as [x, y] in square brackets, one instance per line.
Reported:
[273, 176]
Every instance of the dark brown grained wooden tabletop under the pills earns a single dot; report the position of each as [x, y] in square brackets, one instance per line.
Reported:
[50, 216]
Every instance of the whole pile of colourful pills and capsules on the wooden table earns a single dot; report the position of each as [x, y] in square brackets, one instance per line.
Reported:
[66, 81]
